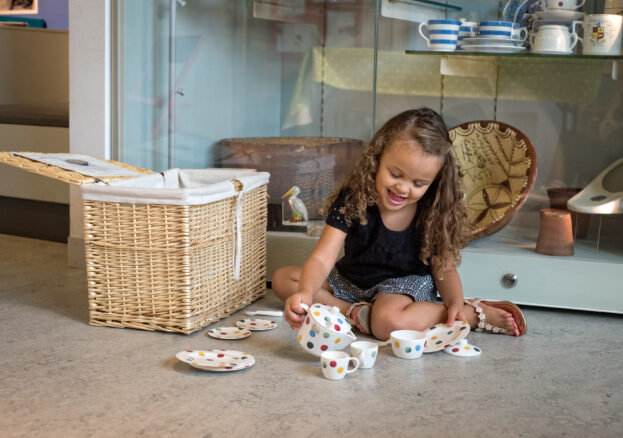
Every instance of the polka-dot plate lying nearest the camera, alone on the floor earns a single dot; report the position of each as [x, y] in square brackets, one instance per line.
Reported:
[217, 360]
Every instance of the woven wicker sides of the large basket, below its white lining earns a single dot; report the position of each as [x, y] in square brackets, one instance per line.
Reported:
[170, 268]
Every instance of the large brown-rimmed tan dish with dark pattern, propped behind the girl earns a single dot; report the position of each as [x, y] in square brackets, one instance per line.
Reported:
[499, 168]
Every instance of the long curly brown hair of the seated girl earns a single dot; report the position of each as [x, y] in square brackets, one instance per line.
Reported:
[442, 218]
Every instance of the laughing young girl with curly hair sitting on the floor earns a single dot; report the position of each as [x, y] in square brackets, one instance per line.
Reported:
[400, 219]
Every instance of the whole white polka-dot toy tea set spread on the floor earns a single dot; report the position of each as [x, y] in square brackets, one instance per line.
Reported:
[324, 333]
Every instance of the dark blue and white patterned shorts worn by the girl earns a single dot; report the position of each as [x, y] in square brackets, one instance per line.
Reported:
[418, 287]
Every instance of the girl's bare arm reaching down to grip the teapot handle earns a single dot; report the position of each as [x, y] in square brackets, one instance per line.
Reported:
[315, 271]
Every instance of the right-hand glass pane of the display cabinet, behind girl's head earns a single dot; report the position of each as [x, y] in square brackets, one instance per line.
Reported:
[567, 106]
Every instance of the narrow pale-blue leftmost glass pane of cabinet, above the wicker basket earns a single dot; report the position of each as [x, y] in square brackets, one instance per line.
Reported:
[142, 83]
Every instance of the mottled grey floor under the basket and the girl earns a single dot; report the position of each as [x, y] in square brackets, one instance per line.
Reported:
[62, 377]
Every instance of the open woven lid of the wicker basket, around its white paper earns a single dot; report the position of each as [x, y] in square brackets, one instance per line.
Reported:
[67, 176]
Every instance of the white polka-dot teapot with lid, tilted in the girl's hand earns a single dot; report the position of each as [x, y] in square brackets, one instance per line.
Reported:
[324, 329]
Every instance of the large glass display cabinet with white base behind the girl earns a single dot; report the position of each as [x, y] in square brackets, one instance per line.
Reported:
[297, 87]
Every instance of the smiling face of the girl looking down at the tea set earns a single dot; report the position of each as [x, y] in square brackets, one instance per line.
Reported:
[405, 172]
